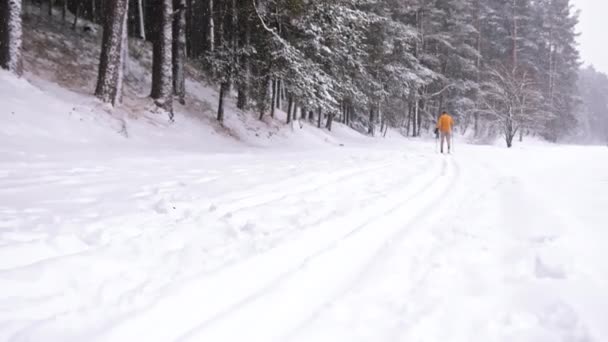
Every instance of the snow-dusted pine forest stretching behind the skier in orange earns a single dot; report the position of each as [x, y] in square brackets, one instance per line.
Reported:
[501, 68]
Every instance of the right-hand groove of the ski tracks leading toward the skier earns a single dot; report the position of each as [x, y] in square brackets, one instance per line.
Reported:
[375, 233]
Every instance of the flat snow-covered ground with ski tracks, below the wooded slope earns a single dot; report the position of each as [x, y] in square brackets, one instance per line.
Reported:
[351, 244]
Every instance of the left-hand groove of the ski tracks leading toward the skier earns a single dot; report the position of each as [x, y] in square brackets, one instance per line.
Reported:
[199, 294]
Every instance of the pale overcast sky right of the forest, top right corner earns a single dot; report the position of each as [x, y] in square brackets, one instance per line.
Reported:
[593, 27]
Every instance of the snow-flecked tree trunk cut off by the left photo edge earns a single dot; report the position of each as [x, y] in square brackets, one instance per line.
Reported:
[11, 36]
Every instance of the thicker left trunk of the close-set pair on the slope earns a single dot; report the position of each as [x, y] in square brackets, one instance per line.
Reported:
[162, 60]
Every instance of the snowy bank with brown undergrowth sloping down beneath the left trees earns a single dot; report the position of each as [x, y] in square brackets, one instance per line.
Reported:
[54, 103]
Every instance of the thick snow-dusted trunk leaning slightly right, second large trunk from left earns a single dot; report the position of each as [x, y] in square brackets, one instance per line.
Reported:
[111, 61]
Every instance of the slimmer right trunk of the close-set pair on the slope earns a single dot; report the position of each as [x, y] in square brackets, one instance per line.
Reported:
[179, 50]
